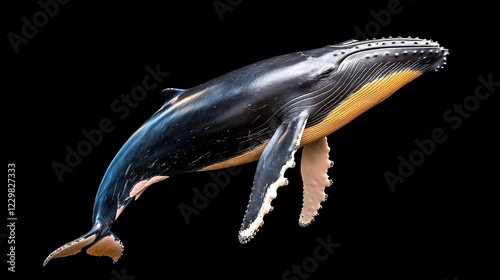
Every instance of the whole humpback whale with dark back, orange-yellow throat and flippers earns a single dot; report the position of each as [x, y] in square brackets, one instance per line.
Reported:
[262, 112]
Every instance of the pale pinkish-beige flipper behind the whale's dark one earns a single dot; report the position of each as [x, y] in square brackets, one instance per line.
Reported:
[314, 167]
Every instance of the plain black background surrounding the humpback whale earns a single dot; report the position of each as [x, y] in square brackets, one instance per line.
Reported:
[437, 224]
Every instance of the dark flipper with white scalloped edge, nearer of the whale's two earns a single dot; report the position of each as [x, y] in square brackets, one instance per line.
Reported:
[276, 158]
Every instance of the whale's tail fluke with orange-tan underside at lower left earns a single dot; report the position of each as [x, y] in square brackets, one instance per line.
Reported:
[96, 242]
